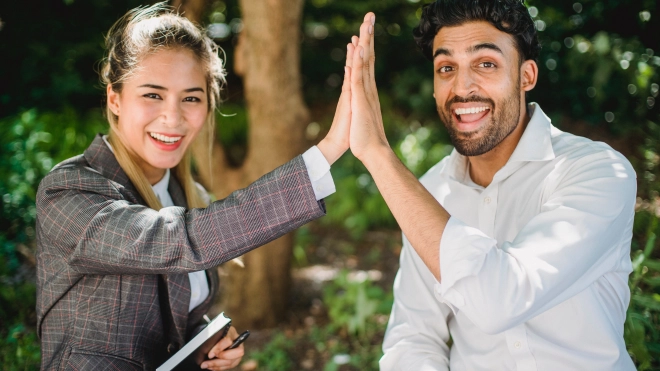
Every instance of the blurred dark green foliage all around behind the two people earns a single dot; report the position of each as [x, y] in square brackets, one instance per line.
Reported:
[599, 78]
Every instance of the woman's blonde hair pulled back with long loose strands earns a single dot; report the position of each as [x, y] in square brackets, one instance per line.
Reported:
[142, 32]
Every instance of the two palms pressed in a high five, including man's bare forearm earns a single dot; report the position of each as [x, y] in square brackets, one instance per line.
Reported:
[358, 124]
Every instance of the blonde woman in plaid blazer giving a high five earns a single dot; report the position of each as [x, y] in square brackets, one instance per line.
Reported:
[122, 241]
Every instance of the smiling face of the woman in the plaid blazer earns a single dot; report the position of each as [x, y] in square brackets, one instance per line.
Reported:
[161, 109]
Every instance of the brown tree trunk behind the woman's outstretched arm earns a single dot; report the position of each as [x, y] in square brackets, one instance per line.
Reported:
[268, 60]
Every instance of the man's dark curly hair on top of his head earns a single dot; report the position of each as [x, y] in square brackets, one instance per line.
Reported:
[510, 16]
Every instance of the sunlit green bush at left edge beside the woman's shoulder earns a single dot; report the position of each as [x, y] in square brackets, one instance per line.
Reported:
[32, 144]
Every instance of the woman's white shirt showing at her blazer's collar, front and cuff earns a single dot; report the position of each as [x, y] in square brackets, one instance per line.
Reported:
[318, 170]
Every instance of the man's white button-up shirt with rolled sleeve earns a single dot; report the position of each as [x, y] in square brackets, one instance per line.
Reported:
[534, 267]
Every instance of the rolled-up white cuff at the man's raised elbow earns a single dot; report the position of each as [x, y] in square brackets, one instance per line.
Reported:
[463, 250]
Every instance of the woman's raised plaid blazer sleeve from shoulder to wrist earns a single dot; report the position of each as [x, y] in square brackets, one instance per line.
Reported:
[84, 218]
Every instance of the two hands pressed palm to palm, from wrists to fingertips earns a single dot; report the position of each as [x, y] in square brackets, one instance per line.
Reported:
[358, 122]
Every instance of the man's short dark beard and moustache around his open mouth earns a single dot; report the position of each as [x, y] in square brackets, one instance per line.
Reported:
[505, 116]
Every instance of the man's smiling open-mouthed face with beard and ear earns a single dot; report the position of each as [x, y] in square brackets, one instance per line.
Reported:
[479, 85]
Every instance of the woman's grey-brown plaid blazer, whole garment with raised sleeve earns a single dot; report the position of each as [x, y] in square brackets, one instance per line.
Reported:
[112, 283]
